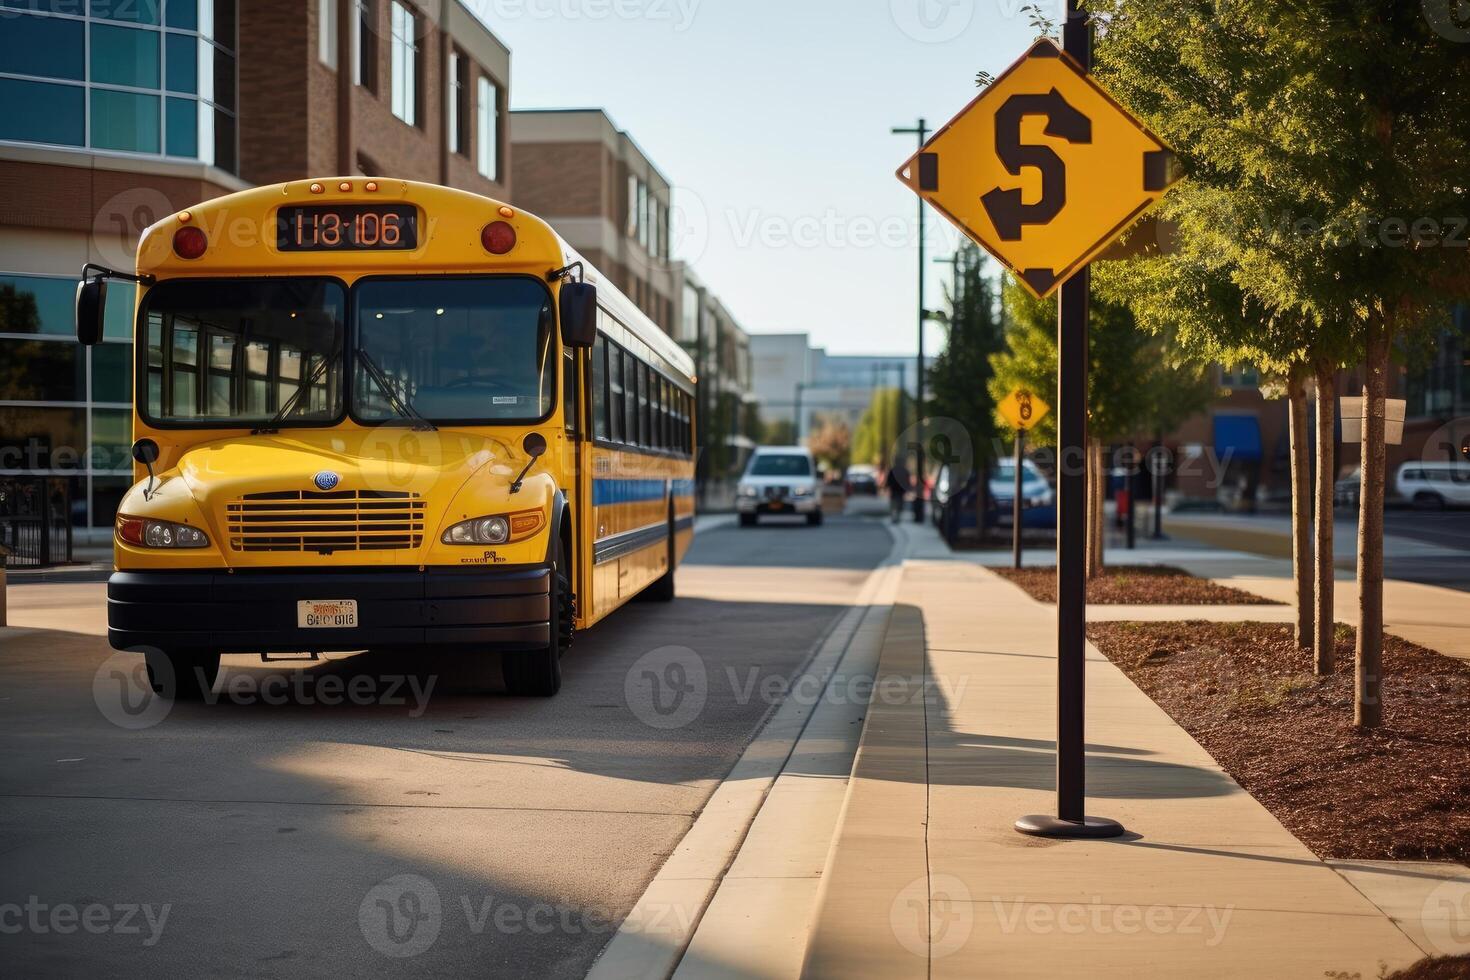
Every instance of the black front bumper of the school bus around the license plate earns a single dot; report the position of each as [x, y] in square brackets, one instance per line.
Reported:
[255, 612]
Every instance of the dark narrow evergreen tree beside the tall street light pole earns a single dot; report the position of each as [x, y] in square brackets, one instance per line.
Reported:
[959, 381]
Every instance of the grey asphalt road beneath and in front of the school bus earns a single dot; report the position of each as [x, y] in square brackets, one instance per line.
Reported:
[380, 816]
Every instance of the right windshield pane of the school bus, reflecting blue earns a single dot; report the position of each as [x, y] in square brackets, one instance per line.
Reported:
[456, 350]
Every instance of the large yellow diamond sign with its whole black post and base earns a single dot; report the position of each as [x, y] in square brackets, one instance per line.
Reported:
[1046, 202]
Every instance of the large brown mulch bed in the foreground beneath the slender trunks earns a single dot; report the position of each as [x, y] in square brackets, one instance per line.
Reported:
[1250, 699]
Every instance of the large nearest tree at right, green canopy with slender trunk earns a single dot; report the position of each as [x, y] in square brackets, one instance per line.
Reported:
[1330, 140]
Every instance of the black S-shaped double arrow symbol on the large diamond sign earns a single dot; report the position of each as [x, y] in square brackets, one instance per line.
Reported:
[1005, 206]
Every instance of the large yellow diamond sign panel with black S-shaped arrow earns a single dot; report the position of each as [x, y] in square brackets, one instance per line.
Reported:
[1044, 170]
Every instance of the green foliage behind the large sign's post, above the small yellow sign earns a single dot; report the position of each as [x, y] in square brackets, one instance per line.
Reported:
[1136, 383]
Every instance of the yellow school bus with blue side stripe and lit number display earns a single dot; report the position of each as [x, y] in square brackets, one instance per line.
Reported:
[384, 415]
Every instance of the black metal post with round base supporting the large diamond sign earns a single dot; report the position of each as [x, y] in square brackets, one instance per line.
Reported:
[1071, 819]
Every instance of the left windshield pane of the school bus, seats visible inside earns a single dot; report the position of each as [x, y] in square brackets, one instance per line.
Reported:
[233, 352]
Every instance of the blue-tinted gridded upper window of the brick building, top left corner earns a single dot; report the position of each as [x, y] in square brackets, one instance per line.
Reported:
[114, 76]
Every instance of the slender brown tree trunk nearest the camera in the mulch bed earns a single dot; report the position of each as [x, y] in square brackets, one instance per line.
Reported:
[1369, 703]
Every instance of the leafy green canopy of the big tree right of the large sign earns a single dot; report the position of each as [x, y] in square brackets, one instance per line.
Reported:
[1318, 137]
